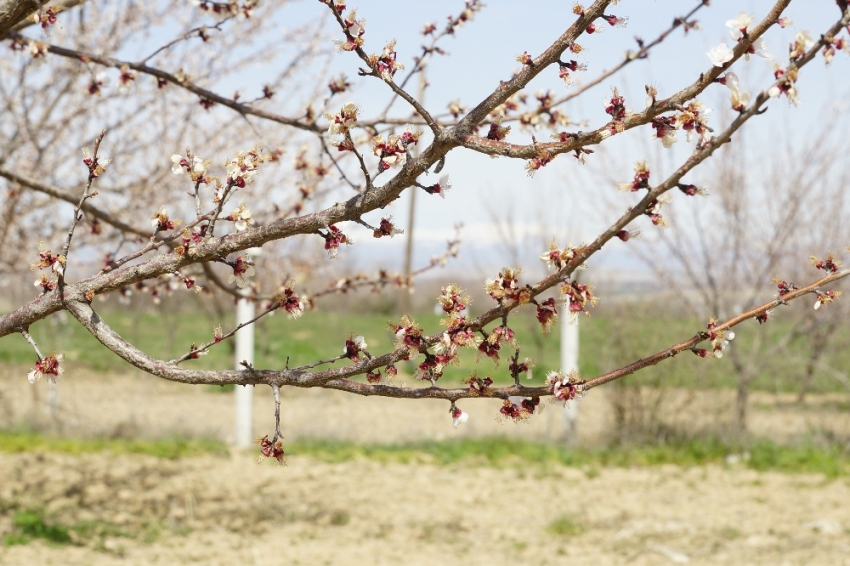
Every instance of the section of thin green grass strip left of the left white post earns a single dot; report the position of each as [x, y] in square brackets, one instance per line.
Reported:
[170, 448]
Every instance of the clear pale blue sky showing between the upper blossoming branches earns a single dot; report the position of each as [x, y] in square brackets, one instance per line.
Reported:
[559, 200]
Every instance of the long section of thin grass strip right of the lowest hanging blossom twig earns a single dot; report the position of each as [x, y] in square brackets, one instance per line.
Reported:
[765, 455]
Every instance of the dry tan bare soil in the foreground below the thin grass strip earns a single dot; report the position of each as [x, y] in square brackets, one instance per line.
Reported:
[232, 511]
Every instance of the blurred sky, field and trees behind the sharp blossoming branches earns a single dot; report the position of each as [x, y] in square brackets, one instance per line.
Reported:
[738, 460]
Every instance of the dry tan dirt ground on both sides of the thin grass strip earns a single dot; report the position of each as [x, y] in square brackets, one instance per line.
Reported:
[230, 510]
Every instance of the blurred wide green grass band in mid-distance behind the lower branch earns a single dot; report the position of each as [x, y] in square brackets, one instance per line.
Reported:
[609, 339]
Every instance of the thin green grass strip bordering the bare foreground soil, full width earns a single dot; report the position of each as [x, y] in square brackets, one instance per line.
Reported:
[764, 455]
